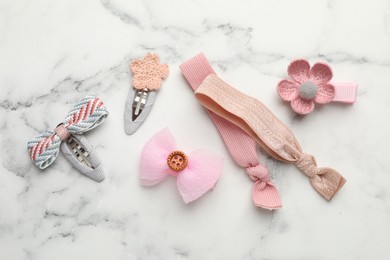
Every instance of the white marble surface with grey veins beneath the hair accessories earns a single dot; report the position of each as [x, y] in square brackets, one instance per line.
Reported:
[52, 53]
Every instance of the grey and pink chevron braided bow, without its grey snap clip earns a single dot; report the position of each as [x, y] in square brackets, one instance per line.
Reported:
[86, 115]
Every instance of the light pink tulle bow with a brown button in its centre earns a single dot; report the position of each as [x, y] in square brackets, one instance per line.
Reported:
[196, 173]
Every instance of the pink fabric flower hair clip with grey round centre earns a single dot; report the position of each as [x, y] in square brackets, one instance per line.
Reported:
[310, 85]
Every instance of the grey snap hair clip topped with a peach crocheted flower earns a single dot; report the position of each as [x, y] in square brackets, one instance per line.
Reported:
[148, 75]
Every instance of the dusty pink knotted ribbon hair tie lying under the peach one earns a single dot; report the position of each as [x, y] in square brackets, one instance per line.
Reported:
[240, 145]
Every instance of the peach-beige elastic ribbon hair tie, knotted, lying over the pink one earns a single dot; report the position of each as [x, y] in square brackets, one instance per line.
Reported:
[254, 118]
